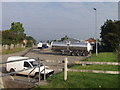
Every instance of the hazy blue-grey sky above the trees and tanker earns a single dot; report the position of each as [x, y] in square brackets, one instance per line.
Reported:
[53, 20]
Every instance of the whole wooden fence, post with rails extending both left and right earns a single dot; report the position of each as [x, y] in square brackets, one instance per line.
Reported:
[66, 69]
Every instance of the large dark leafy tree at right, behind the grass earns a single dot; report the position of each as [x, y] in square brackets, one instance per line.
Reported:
[110, 34]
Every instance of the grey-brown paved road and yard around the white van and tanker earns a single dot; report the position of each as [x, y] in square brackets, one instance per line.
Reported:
[43, 55]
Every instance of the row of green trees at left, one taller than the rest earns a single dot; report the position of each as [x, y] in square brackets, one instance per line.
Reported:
[16, 35]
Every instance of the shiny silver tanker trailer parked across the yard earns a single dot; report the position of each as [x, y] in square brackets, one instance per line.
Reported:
[74, 49]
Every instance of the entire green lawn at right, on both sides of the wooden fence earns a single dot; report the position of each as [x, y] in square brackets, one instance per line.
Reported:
[88, 80]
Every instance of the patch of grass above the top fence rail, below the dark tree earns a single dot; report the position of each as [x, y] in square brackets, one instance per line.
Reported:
[104, 57]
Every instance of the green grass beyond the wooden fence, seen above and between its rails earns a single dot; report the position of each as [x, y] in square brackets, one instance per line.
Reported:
[102, 57]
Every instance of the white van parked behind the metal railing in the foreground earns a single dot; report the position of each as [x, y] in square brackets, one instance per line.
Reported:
[26, 63]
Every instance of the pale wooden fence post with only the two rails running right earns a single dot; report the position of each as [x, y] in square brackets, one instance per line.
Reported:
[93, 71]
